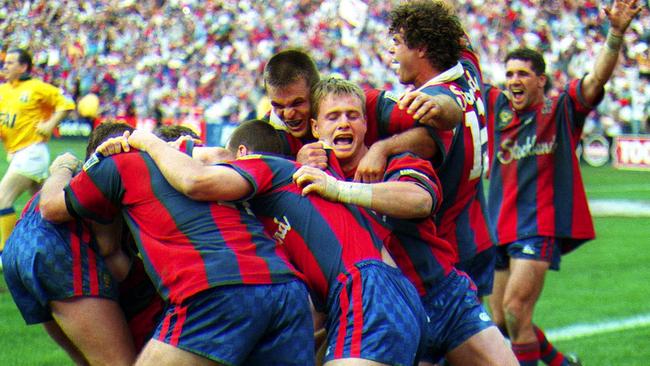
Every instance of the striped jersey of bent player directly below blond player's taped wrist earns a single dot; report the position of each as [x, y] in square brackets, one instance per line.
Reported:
[323, 239]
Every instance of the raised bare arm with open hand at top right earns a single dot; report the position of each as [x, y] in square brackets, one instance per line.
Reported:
[620, 14]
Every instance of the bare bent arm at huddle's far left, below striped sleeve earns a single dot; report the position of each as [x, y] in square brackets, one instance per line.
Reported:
[52, 204]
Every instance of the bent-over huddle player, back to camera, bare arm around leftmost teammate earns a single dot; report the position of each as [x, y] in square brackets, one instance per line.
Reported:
[232, 296]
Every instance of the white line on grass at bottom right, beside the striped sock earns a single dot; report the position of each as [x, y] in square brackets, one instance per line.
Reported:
[587, 330]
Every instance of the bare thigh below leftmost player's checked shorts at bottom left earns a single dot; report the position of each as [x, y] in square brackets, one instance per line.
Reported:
[98, 329]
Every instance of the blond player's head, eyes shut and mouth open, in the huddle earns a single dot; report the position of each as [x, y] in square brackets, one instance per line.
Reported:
[339, 118]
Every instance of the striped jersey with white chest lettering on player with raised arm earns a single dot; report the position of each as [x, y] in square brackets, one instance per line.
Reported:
[536, 187]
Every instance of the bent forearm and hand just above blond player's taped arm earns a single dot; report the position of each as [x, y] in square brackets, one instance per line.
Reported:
[416, 140]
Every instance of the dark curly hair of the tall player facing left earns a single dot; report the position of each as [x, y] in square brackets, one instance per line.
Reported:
[430, 25]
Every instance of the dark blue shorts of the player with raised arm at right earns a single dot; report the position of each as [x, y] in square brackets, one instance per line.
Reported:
[538, 248]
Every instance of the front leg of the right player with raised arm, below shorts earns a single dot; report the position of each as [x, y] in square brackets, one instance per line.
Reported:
[522, 292]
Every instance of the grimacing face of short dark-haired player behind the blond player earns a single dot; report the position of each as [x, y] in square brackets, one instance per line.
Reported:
[291, 104]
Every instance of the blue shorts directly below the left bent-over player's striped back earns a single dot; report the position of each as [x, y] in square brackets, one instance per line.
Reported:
[244, 324]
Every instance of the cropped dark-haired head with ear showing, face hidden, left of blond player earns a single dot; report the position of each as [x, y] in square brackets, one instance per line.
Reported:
[255, 136]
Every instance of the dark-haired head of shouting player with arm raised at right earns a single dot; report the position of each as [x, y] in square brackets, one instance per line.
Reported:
[525, 77]
